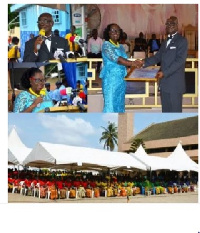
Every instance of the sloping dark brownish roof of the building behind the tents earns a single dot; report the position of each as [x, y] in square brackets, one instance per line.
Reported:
[170, 129]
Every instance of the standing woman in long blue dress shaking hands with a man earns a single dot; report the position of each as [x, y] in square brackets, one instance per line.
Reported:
[114, 70]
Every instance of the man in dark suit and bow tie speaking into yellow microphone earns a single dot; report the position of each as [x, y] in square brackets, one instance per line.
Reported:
[41, 48]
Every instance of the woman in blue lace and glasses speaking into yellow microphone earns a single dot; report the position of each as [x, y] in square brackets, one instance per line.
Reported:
[35, 97]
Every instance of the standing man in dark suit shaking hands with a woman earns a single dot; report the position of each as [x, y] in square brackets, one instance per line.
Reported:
[172, 56]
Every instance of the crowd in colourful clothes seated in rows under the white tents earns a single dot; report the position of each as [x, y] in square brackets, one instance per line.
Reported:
[62, 184]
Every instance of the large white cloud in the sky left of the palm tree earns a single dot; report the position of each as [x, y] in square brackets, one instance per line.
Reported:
[69, 131]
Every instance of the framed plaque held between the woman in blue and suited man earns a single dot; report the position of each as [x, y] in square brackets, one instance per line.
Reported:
[143, 74]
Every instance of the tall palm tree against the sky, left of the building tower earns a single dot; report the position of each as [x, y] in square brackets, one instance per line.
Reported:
[109, 136]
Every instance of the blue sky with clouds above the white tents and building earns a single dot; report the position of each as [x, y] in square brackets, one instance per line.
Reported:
[76, 129]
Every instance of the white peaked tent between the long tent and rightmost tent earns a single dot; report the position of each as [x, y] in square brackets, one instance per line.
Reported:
[152, 162]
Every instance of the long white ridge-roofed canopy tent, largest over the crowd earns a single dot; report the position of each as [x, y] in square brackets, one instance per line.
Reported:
[63, 156]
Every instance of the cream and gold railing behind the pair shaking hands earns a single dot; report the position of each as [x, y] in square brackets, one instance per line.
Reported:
[150, 98]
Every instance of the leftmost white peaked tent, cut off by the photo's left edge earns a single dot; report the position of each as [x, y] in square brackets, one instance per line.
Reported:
[17, 147]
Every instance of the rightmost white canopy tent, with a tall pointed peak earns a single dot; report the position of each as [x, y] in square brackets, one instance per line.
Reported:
[180, 161]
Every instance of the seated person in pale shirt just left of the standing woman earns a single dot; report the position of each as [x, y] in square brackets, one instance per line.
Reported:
[94, 47]
